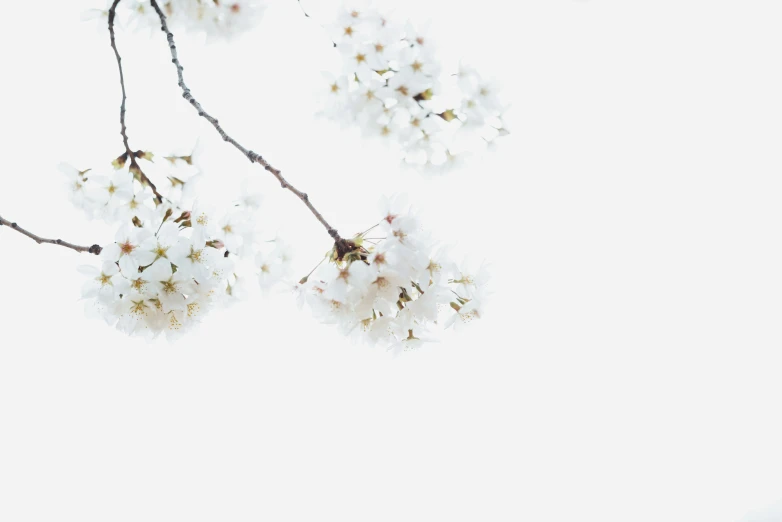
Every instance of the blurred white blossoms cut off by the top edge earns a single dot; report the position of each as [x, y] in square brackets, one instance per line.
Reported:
[215, 19]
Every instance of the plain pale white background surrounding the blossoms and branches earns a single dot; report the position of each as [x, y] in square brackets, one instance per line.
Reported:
[628, 369]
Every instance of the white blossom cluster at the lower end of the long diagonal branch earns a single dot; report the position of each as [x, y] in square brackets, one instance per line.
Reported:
[389, 285]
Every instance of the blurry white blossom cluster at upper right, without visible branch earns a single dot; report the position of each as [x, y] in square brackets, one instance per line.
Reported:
[391, 85]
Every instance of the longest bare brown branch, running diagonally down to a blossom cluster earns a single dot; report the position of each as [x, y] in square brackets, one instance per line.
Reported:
[252, 156]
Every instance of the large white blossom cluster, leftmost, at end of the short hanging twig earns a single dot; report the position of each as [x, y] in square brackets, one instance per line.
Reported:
[171, 261]
